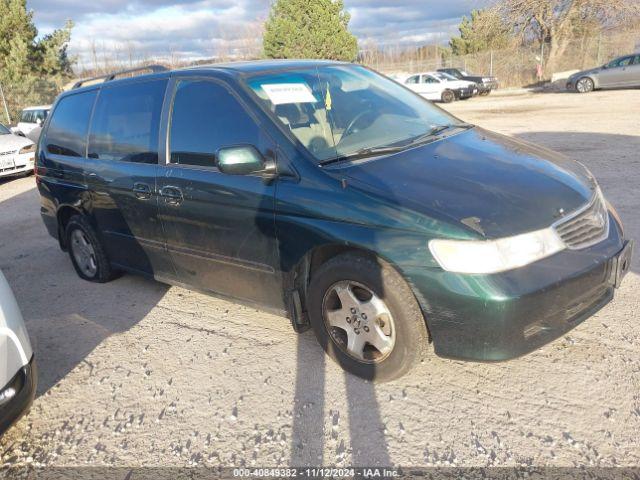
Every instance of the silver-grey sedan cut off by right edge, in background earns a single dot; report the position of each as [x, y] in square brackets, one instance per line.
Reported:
[623, 72]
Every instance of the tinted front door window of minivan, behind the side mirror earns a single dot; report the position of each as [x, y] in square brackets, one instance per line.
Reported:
[206, 117]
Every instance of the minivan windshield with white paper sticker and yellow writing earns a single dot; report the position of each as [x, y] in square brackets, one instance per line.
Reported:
[341, 111]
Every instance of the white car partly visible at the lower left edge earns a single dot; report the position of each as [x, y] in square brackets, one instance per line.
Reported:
[18, 372]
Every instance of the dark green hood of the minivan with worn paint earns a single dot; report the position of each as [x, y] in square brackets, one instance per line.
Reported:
[494, 185]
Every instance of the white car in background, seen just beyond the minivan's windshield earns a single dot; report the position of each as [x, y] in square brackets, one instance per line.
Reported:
[441, 87]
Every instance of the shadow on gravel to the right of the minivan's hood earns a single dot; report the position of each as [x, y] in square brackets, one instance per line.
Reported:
[613, 160]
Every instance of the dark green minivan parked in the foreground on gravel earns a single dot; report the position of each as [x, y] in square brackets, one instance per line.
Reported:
[336, 196]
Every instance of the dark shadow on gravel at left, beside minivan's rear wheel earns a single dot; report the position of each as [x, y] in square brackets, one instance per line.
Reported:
[67, 318]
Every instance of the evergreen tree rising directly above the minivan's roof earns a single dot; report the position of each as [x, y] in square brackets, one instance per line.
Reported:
[309, 29]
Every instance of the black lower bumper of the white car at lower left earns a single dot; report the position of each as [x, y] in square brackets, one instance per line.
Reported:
[17, 396]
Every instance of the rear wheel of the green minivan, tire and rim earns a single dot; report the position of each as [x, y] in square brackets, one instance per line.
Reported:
[86, 252]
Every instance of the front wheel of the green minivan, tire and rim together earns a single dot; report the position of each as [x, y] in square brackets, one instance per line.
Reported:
[366, 317]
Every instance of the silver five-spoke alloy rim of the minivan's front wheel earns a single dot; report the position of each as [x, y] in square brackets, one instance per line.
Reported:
[359, 322]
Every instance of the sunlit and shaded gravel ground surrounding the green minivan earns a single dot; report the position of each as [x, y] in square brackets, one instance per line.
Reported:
[135, 373]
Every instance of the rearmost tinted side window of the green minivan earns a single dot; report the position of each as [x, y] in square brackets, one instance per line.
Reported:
[67, 131]
